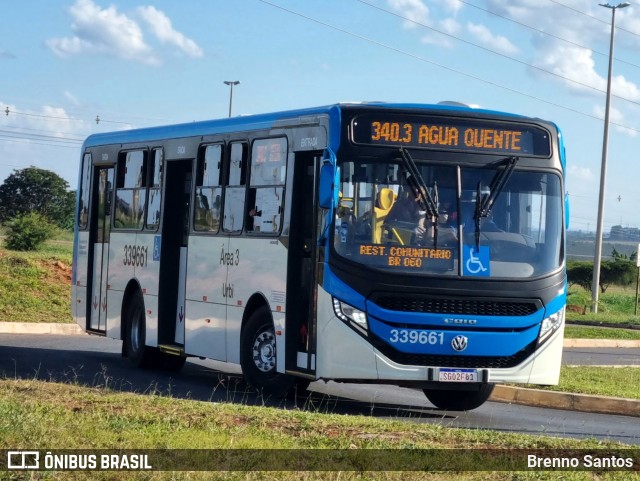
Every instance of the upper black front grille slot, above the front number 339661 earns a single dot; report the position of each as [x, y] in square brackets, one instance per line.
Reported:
[457, 306]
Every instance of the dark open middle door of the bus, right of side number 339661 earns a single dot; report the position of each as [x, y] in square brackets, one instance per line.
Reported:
[173, 256]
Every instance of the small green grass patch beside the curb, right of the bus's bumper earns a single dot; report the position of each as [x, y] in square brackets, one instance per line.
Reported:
[601, 381]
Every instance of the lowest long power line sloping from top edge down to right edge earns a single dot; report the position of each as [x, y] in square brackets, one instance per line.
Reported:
[436, 64]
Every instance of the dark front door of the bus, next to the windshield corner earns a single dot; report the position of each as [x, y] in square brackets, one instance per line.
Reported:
[302, 267]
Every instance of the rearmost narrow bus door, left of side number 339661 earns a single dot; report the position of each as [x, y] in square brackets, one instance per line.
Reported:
[100, 230]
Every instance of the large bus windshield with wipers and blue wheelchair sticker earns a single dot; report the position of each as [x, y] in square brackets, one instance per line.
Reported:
[444, 219]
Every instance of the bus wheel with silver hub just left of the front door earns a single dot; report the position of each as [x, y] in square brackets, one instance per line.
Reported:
[258, 356]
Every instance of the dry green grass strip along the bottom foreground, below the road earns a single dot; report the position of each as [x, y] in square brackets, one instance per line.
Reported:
[42, 415]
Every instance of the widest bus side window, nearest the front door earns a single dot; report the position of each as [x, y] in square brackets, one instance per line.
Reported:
[267, 180]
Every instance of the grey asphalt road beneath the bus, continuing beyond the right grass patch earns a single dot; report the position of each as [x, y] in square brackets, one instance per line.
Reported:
[95, 361]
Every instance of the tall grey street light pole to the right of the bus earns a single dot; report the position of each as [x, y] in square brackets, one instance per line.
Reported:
[595, 283]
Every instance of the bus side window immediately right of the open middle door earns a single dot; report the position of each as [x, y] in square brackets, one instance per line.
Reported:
[208, 193]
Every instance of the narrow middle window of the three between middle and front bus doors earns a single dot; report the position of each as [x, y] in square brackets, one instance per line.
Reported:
[234, 193]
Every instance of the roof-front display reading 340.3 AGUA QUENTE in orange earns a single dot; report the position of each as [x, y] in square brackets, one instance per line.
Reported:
[442, 133]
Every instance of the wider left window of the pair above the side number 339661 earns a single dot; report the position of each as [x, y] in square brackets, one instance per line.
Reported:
[131, 190]
